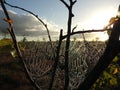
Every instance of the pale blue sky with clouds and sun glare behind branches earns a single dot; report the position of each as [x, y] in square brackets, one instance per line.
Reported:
[89, 14]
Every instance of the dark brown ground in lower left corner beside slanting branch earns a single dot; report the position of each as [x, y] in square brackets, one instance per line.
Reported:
[12, 75]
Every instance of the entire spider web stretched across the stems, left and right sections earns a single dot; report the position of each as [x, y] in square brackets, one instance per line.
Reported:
[83, 56]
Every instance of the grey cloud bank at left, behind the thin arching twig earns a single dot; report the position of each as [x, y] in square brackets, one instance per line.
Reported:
[27, 25]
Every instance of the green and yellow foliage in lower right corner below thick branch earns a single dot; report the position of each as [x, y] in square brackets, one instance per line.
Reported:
[110, 78]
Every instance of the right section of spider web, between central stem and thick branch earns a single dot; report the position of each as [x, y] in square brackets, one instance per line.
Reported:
[83, 57]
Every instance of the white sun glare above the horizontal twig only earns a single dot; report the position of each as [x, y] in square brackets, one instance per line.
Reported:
[101, 18]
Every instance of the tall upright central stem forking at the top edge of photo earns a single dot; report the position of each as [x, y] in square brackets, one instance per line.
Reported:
[70, 15]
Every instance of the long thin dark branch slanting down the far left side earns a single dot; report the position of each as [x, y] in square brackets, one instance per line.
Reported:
[11, 30]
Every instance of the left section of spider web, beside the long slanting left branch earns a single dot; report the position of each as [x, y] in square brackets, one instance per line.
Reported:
[38, 57]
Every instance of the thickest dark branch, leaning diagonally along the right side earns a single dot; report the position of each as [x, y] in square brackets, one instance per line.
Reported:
[111, 51]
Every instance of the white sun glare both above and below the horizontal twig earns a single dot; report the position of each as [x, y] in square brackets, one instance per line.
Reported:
[99, 20]
